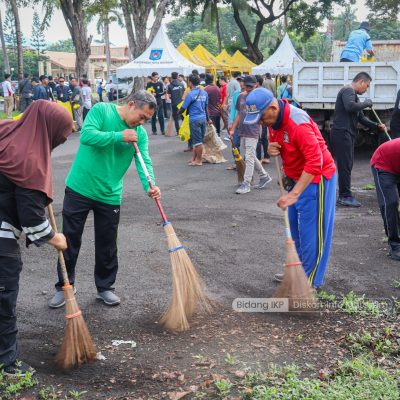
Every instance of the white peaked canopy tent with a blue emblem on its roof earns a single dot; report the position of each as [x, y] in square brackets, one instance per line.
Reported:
[162, 57]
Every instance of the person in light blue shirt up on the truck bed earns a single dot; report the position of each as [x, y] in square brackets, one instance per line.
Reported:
[359, 40]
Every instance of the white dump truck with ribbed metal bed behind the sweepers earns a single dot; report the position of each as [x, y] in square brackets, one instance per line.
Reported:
[316, 85]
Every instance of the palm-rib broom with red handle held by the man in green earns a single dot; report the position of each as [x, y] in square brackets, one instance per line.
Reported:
[188, 288]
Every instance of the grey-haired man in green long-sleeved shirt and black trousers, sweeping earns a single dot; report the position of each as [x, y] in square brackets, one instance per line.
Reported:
[95, 182]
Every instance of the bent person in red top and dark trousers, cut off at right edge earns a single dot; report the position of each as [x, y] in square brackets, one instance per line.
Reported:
[385, 165]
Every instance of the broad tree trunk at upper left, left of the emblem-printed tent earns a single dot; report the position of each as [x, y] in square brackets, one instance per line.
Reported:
[75, 19]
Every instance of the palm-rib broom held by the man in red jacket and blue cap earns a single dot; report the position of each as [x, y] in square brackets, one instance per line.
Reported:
[295, 285]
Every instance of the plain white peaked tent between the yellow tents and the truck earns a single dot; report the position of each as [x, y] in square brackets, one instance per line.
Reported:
[281, 62]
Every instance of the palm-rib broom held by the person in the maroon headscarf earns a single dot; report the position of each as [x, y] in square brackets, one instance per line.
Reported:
[77, 347]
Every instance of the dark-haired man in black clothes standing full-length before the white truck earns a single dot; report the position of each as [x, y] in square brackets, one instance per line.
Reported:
[348, 113]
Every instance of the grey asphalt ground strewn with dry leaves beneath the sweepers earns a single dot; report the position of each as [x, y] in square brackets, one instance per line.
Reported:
[237, 244]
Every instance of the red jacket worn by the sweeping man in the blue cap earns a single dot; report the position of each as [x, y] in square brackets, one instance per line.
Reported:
[302, 146]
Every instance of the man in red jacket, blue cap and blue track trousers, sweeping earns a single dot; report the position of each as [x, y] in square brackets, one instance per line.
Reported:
[309, 165]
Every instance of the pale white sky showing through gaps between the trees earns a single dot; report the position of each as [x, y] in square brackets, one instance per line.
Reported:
[58, 29]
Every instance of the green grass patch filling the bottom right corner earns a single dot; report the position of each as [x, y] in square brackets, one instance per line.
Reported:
[358, 379]
